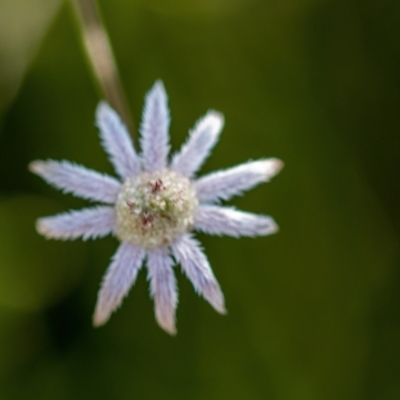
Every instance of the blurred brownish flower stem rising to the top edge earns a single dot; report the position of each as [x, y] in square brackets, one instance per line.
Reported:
[101, 58]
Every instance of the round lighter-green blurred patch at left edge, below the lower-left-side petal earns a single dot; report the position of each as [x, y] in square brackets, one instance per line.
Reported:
[28, 279]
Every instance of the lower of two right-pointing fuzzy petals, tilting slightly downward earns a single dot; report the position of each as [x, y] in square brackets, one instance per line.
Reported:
[217, 220]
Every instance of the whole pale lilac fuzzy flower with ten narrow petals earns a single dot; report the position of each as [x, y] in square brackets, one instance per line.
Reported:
[154, 206]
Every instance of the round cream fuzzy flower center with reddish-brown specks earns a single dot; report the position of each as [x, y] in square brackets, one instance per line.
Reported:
[154, 208]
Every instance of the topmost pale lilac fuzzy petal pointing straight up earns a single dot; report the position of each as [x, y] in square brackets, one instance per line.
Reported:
[154, 129]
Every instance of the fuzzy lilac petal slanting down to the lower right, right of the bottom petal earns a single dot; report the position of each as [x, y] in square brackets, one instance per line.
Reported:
[189, 254]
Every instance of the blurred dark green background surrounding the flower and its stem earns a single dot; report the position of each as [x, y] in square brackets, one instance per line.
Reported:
[314, 311]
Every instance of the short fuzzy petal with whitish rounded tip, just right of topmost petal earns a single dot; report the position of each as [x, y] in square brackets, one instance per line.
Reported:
[197, 148]
